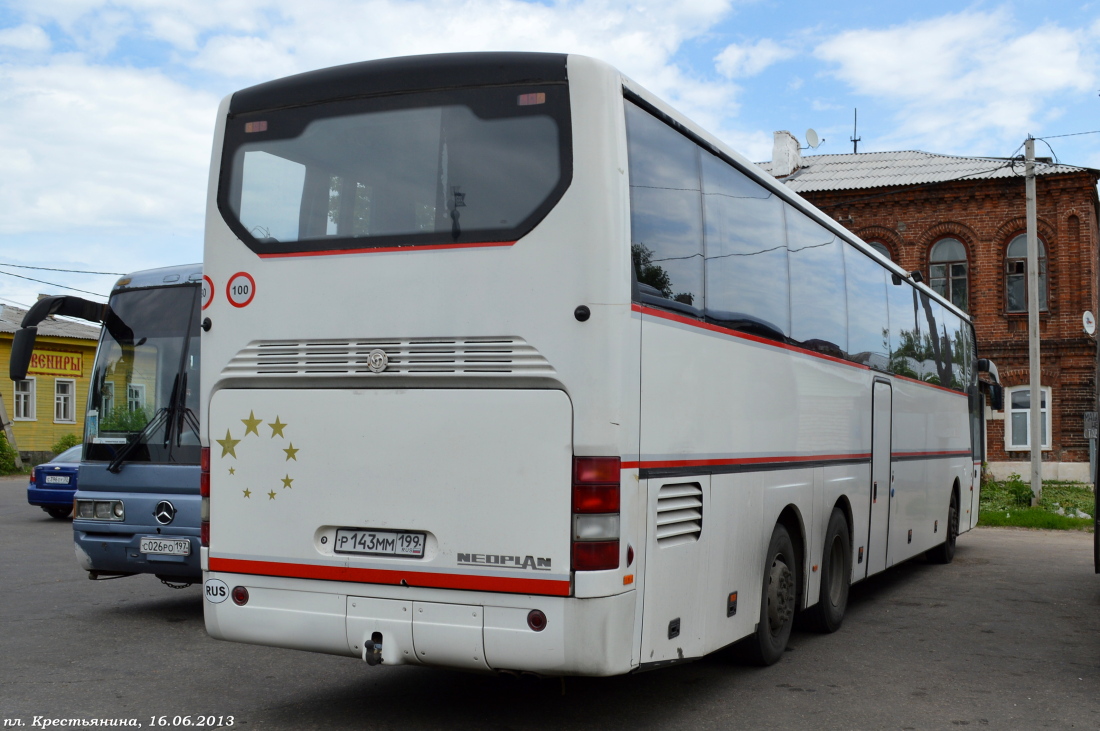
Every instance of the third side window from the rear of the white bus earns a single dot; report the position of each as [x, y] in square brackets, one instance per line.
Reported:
[819, 307]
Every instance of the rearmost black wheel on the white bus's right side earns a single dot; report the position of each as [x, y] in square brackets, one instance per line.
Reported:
[778, 601]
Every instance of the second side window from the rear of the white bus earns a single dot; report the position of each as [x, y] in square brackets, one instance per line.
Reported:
[746, 248]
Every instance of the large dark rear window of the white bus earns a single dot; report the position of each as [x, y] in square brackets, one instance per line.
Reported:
[444, 168]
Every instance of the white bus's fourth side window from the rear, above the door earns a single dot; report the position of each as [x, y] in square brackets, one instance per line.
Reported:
[868, 326]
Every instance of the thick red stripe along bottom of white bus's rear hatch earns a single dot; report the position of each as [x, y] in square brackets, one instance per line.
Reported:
[394, 578]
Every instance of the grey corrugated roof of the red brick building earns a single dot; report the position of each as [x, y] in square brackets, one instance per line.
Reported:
[861, 171]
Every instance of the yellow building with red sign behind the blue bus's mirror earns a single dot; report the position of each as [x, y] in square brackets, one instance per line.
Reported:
[53, 400]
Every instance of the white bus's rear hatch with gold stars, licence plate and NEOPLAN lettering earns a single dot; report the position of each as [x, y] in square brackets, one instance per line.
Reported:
[436, 489]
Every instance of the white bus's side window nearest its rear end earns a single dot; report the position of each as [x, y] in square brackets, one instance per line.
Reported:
[666, 212]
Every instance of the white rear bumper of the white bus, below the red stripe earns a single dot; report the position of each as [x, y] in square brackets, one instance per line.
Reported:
[477, 632]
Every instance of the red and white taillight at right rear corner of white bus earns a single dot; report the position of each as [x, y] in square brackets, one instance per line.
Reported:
[596, 501]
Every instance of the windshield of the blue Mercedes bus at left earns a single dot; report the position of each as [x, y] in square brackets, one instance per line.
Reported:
[145, 404]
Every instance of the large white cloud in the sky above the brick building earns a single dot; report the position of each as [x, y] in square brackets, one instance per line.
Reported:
[959, 80]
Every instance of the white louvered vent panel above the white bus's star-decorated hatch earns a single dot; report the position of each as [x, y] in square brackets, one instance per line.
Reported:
[408, 358]
